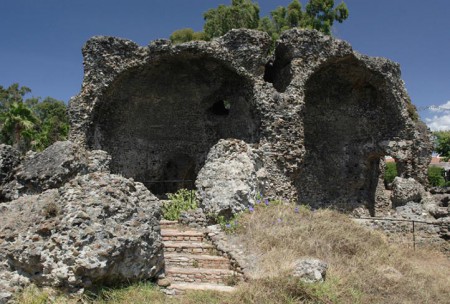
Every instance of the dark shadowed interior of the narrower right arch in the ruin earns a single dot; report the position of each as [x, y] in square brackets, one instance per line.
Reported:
[346, 117]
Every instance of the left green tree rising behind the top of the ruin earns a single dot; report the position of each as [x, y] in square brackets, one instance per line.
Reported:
[241, 14]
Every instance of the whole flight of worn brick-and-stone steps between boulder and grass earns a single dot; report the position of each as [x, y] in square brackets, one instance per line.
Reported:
[192, 262]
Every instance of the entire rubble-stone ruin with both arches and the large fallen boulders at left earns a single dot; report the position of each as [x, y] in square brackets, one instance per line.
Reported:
[310, 123]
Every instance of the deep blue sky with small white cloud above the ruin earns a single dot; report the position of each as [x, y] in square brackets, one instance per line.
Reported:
[41, 41]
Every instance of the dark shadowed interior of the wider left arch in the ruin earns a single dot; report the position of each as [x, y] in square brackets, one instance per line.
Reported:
[159, 121]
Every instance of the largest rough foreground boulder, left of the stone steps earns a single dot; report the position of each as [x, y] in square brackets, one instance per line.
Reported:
[97, 229]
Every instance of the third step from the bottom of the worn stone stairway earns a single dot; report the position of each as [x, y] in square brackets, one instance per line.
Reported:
[196, 261]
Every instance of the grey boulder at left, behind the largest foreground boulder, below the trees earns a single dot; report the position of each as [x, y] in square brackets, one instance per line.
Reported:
[52, 168]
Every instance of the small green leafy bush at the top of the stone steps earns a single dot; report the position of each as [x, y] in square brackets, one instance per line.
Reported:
[182, 200]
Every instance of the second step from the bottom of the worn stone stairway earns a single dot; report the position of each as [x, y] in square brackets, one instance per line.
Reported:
[199, 275]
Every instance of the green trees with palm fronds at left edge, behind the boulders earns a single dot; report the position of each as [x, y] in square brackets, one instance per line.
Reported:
[31, 123]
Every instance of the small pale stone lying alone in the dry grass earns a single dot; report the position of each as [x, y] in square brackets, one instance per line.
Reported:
[310, 270]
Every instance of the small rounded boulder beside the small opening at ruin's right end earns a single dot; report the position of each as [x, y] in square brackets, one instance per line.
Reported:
[406, 190]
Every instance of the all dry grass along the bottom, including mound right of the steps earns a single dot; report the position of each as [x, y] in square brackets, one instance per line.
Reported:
[363, 267]
